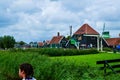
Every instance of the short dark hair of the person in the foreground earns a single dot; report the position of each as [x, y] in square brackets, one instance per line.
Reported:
[27, 68]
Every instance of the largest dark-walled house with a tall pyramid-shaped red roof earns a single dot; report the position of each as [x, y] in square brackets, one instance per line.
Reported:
[86, 37]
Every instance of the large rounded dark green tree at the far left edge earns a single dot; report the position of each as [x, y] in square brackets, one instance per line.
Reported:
[7, 42]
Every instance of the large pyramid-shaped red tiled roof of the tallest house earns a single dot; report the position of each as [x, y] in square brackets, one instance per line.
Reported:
[86, 29]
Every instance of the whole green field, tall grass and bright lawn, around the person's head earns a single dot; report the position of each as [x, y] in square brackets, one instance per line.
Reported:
[54, 68]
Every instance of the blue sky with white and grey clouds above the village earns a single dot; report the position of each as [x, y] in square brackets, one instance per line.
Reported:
[39, 20]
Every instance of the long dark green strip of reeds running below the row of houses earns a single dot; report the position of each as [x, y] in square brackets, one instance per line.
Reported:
[58, 52]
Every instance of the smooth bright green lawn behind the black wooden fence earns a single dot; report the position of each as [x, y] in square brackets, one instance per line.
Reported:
[88, 59]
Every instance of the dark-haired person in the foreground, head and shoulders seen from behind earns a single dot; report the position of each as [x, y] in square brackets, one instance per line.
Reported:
[26, 71]
